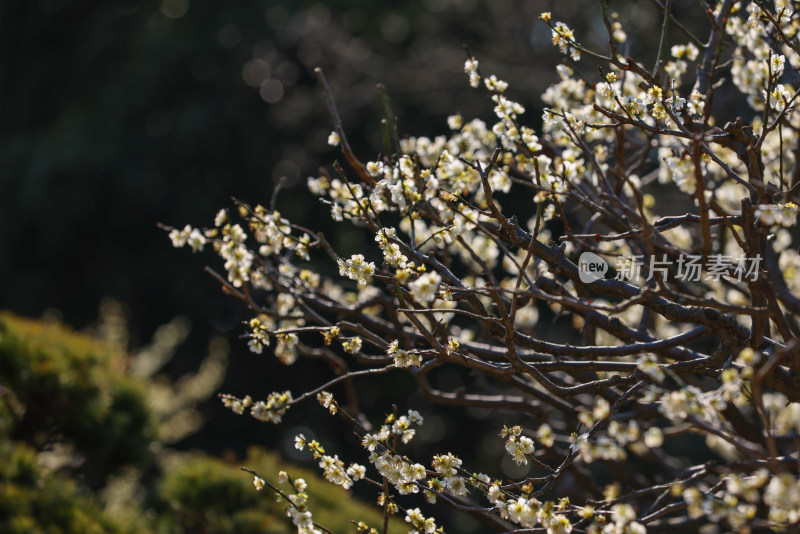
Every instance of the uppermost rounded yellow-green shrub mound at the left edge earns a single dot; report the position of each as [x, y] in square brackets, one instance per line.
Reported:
[65, 387]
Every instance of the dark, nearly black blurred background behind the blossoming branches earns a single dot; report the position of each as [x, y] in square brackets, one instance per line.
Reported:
[118, 115]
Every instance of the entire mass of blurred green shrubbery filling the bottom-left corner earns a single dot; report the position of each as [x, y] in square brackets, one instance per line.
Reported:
[60, 388]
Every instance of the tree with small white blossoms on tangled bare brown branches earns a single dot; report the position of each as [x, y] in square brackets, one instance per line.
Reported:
[693, 332]
